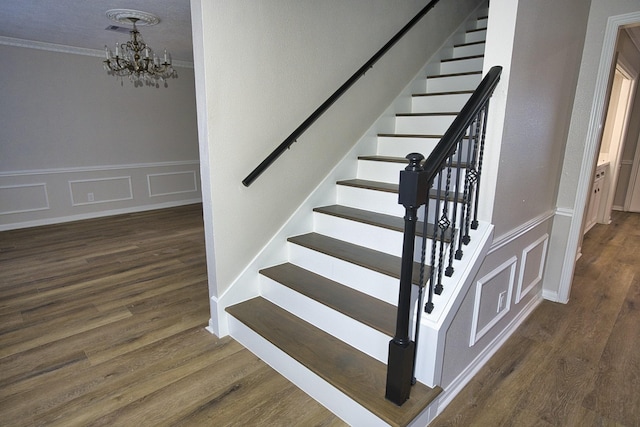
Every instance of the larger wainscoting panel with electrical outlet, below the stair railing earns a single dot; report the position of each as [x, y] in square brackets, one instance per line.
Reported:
[486, 310]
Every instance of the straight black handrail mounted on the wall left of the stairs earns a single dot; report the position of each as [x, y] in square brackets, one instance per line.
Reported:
[333, 98]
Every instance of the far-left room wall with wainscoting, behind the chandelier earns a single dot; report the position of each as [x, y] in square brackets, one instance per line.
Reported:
[74, 143]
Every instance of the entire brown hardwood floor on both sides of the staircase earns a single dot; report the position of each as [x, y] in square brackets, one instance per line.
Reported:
[102, 323]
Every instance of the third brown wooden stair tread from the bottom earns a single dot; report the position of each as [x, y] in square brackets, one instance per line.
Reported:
[359, 255]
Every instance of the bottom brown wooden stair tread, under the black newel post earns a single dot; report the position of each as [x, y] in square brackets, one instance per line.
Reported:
[354, 373]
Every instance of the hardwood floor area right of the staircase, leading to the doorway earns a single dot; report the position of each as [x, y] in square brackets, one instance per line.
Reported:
[570, 365]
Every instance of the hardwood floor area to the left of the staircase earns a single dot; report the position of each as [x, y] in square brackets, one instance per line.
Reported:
[102, 323]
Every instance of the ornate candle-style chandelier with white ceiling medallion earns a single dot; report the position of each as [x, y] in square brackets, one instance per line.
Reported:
[135, 59]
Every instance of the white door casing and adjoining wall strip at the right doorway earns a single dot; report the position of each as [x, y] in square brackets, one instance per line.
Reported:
[581, 148]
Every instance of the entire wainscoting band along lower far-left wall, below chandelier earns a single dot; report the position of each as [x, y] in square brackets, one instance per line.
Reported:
[31, 198]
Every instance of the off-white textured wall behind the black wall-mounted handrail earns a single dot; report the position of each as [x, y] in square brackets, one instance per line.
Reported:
[266, 65]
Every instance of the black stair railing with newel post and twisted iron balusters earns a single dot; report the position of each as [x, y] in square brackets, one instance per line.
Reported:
[447, 185]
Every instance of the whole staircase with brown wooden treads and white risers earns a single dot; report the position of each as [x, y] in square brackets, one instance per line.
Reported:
[325, 316]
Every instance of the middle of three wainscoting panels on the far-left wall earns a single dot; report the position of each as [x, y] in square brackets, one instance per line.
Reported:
[100, 190]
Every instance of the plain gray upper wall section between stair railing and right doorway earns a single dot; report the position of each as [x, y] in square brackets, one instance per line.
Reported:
[544, 70]
